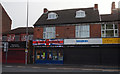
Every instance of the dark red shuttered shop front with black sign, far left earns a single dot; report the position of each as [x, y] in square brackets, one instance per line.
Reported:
[15, 53]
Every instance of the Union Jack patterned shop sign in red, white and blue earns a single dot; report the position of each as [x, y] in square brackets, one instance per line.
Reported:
[48, 42]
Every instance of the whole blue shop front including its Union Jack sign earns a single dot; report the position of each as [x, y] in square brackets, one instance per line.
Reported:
[49, 51]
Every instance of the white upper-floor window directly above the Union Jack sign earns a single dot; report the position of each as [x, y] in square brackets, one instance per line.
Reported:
[46, 33]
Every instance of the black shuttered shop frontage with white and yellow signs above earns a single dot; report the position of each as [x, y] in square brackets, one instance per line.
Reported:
[92, 51]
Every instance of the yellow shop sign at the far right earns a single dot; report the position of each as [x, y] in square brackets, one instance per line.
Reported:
[111, 40]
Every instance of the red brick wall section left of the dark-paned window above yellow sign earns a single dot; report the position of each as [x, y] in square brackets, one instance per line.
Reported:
[95, 30]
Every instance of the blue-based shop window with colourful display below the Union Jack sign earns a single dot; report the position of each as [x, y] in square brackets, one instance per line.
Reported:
[49, 56]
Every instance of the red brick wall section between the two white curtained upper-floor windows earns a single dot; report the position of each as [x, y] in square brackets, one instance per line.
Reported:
[65, 31]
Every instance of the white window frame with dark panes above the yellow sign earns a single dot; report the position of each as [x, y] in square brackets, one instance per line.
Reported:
[105, 29]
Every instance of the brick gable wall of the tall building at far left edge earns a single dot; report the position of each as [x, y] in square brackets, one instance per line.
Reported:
[6, 21]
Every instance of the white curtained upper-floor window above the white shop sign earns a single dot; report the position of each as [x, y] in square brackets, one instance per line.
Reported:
[82, 31]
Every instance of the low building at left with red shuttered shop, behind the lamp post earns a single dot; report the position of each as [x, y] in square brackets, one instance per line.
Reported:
[16, 45]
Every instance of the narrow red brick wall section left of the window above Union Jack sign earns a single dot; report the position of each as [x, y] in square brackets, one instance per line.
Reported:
[38, 32]
